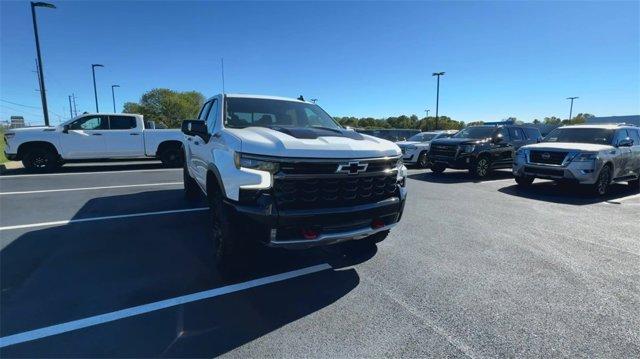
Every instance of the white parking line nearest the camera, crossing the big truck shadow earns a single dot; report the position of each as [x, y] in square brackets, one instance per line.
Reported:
[146, 308]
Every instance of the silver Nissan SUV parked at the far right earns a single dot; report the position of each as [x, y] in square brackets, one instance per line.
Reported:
[595, 155]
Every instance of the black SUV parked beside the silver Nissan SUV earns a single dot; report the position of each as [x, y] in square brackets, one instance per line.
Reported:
[481, 149]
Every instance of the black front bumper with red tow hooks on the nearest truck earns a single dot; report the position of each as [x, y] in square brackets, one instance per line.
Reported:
[305, 228]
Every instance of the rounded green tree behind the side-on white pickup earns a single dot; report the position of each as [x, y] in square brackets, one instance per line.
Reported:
[167, 106]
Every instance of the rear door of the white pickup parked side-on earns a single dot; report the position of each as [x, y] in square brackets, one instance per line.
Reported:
[124, 138]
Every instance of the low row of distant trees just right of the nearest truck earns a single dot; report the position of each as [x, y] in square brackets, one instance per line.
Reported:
[404, 121]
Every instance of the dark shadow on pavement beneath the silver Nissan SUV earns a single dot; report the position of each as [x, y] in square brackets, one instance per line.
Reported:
[550, 191]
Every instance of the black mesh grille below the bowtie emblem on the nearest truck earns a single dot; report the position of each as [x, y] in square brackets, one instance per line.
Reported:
[330, 192]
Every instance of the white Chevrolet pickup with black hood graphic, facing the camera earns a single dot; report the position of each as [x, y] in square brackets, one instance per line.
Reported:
[282, 172]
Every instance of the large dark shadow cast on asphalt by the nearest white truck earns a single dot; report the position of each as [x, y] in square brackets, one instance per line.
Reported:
[59, 274]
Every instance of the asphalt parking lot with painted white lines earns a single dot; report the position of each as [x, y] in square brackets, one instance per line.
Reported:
[90, 256]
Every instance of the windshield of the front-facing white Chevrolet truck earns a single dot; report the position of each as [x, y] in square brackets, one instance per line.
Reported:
[250, 112]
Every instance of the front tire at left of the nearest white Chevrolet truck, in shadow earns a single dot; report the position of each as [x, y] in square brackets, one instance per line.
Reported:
[226, 237]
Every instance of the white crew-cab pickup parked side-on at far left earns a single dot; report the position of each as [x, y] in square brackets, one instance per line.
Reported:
[90, 137]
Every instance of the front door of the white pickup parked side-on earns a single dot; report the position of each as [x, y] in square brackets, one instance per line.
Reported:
[85, 138]
